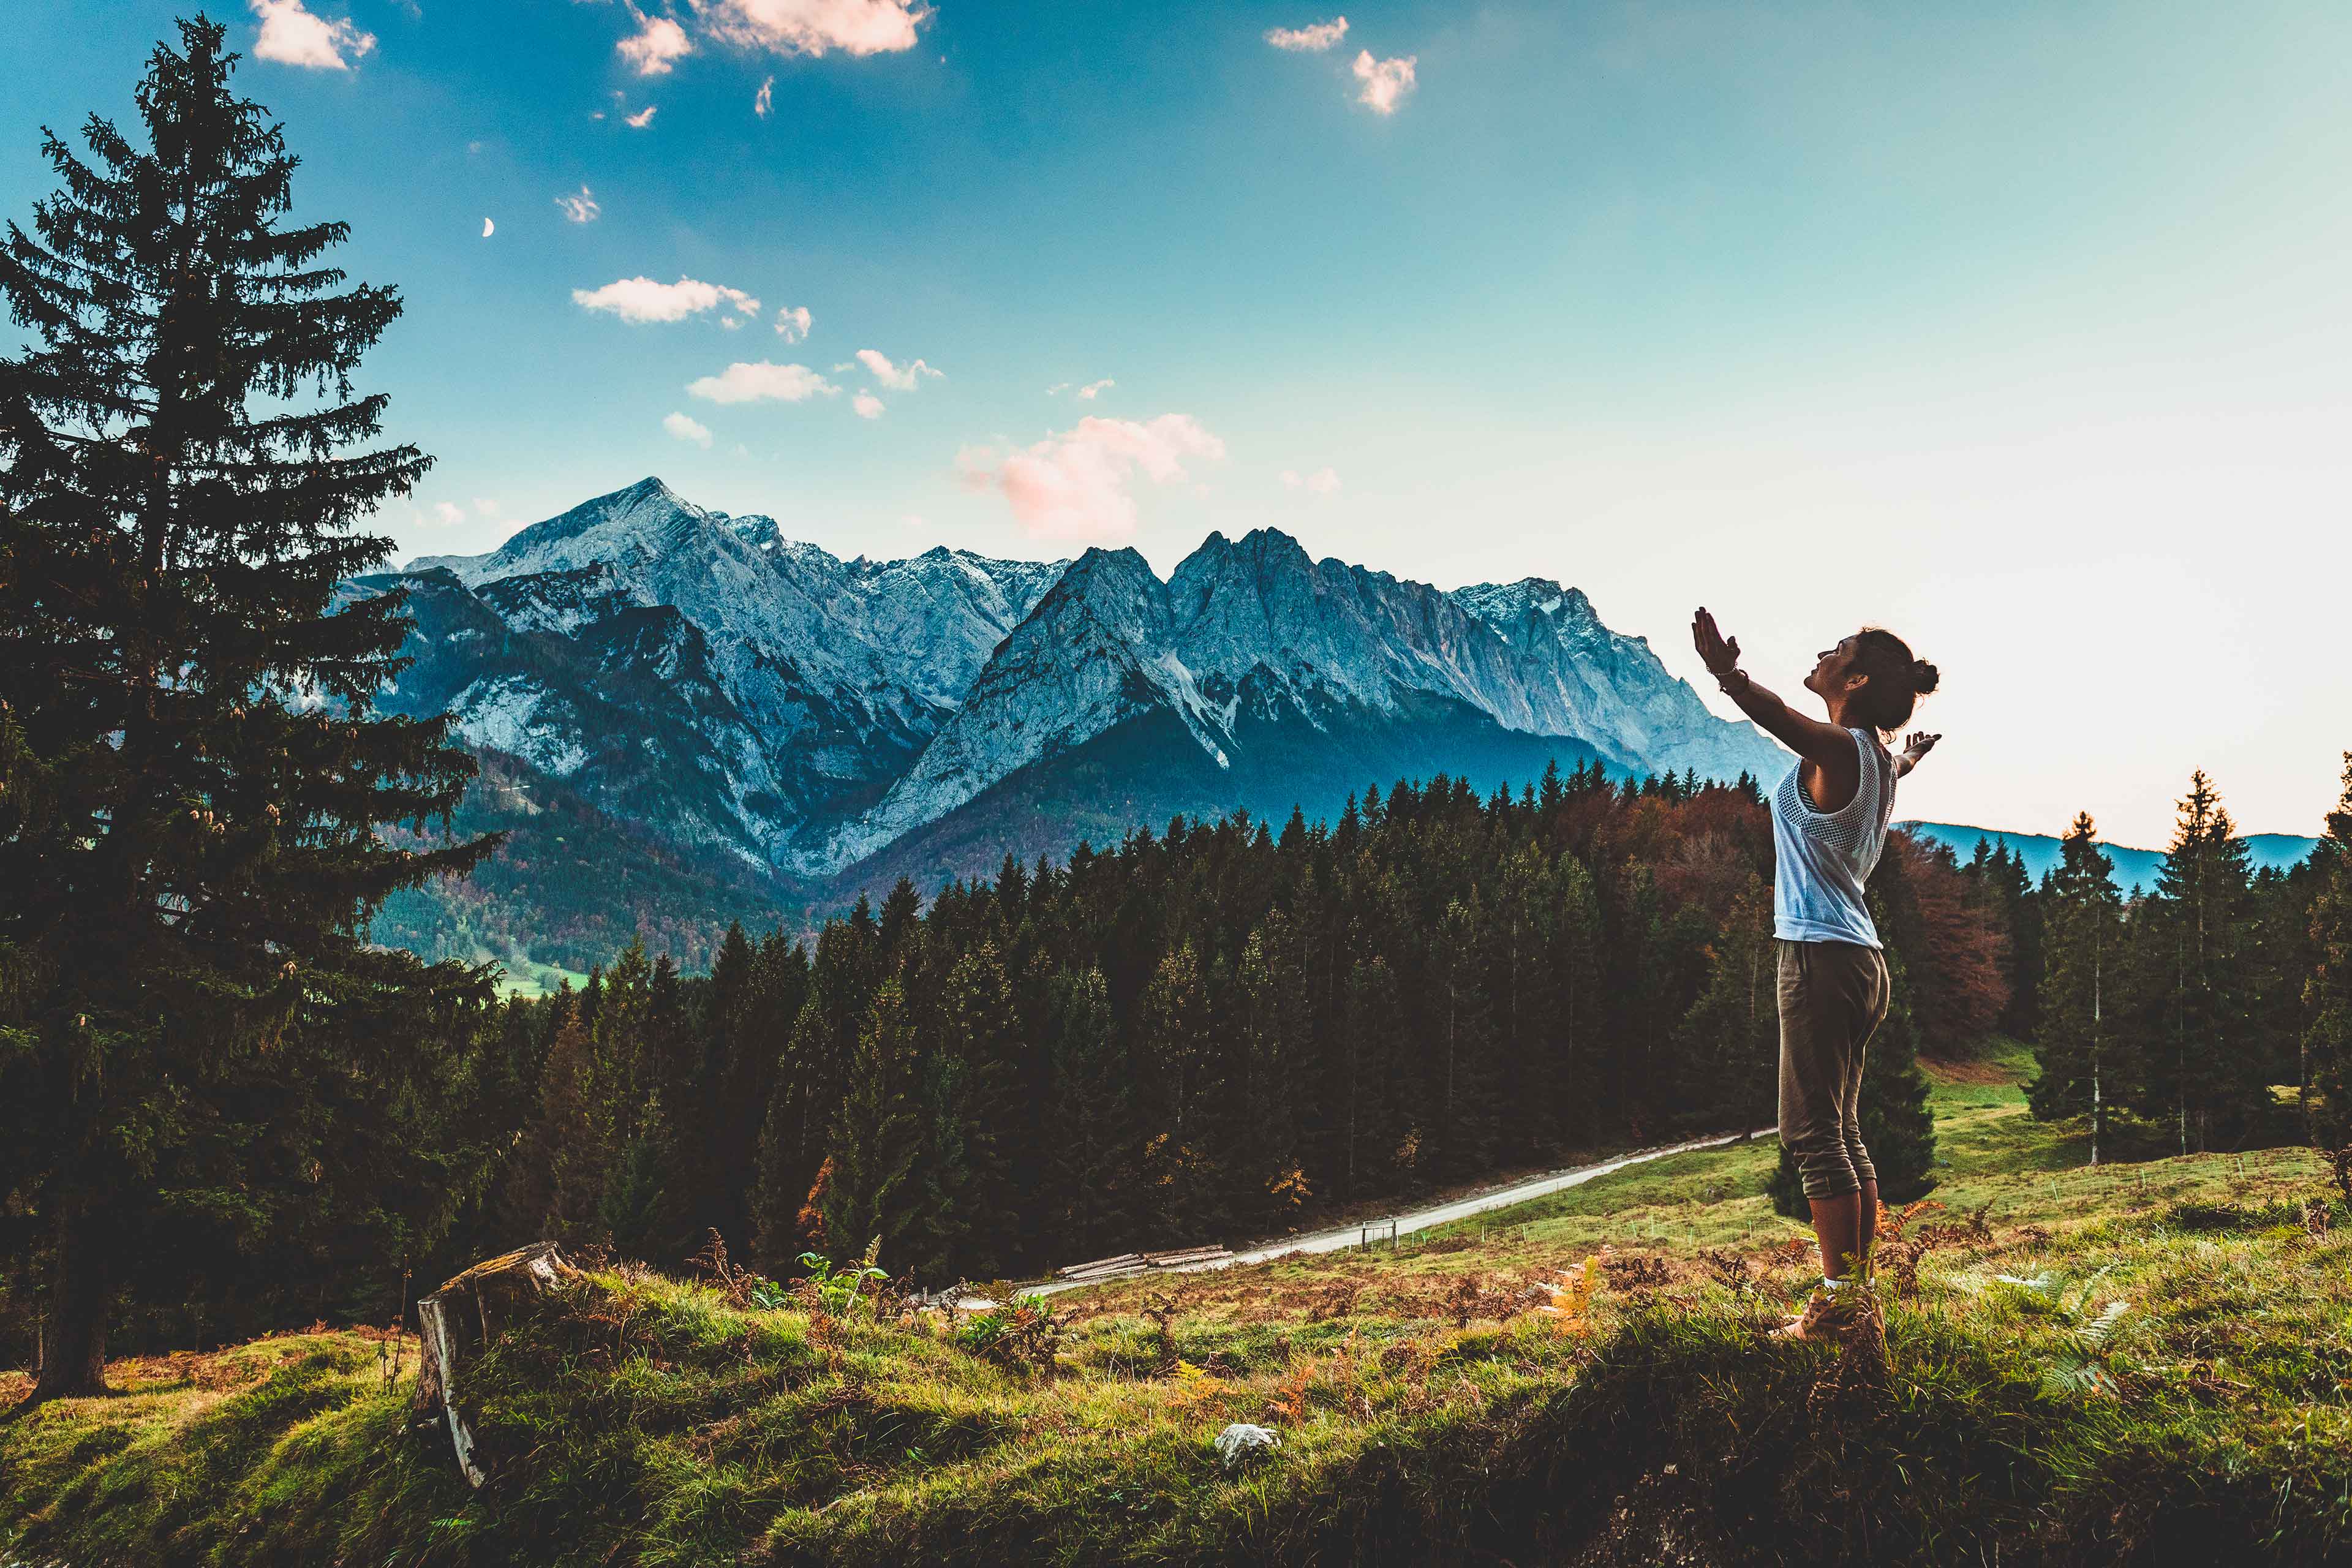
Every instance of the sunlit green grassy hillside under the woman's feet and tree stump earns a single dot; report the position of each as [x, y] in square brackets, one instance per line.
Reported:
[1424, 1412]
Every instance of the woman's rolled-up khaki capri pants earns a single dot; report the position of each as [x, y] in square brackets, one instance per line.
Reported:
[1833, 998]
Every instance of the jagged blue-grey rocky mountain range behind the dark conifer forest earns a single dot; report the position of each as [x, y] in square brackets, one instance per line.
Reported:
[721, 690]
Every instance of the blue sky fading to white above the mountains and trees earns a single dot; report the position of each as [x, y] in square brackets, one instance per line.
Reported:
[2019, 328]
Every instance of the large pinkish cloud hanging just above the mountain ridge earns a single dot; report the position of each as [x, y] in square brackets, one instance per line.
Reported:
[1076, 485]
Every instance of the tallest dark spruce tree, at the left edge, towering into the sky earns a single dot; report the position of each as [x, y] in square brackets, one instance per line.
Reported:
[189, 838]
